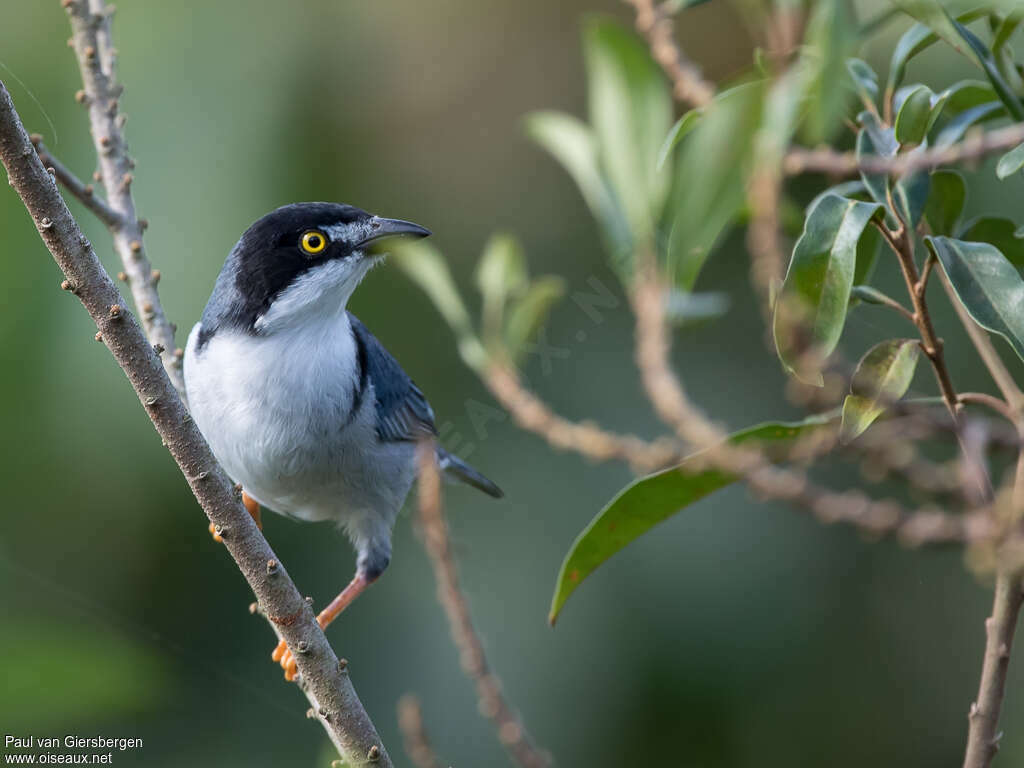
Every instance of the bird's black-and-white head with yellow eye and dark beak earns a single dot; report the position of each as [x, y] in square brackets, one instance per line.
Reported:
[300, 262]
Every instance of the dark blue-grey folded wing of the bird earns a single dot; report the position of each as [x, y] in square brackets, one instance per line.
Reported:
[403, 411]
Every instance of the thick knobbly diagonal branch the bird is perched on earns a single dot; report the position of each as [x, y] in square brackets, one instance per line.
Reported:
[343, 714]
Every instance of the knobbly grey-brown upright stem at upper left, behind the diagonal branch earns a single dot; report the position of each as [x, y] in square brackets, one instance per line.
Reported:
[91, 22]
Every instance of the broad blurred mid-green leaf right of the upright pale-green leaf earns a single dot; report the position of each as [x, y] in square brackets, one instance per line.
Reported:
[711, 173]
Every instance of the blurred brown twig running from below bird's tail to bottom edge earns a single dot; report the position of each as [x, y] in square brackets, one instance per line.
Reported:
[492, 703]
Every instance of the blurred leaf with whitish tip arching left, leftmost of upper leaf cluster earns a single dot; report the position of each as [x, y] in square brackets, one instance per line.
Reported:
[575, 147]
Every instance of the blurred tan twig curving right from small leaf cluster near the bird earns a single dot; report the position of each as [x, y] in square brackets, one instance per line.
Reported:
[534, 415]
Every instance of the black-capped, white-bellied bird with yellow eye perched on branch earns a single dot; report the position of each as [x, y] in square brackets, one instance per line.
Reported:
[298, 401]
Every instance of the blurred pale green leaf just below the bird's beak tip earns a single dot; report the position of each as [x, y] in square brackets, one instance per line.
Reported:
[425, 267]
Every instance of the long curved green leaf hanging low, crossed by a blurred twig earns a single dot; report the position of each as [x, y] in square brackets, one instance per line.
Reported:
[649, 501]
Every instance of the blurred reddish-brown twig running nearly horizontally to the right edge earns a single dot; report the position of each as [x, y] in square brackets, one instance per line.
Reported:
[977, 145]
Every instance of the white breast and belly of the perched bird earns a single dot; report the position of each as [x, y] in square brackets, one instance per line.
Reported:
[277, 412]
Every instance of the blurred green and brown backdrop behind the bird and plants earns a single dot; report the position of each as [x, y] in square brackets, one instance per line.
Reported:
[739, 634]
